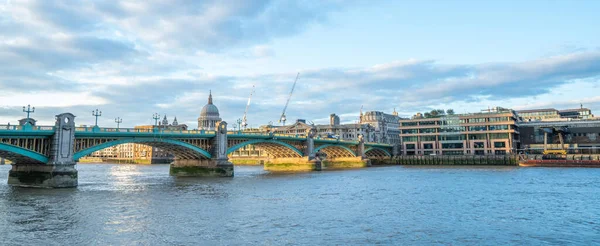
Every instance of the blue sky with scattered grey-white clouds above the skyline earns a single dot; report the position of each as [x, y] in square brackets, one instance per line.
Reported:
[131, 59]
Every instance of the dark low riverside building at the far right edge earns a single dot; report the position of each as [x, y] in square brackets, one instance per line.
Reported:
[578, 136]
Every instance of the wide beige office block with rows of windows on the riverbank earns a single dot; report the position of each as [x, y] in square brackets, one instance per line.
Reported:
[486, 133]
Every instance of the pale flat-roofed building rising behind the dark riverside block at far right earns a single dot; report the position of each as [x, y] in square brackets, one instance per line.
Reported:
[551, 114]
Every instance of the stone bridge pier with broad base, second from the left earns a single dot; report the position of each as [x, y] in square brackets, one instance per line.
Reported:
[218, 166]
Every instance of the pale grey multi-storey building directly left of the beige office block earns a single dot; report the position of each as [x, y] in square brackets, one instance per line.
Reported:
[386, 126]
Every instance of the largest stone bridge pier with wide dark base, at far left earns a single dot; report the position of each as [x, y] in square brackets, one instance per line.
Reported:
[60, 170]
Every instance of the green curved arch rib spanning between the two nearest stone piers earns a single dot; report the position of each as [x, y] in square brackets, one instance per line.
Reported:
[178, 148]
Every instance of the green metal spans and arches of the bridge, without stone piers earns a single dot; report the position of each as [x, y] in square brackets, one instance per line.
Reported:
[33, 144]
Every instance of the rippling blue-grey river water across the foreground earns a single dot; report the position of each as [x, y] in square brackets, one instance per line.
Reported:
[143, 205]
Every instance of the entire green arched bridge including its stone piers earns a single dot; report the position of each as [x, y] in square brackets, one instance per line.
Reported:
[45, 156]
